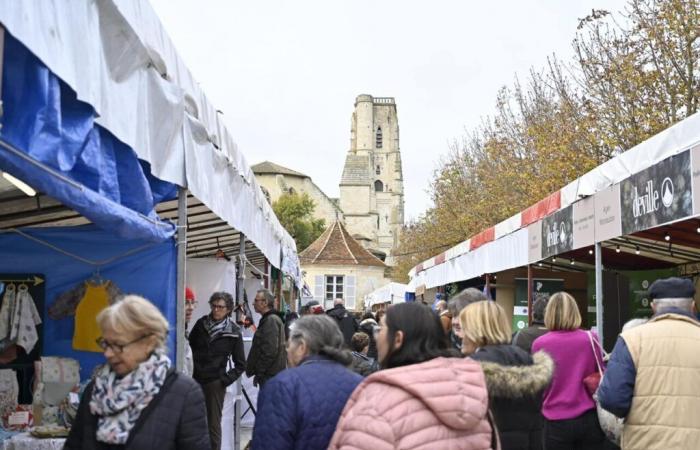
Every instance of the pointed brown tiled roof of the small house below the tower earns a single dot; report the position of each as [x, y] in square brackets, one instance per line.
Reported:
[336, 247]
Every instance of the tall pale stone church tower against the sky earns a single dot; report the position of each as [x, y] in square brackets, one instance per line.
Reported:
[371, 188]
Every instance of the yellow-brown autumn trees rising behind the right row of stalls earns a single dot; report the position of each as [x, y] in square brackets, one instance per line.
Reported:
[634, 73]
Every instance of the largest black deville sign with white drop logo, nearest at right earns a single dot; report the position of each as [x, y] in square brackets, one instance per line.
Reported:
[657, 195]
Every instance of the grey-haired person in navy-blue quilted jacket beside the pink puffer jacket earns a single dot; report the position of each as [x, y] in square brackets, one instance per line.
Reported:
[299, 407]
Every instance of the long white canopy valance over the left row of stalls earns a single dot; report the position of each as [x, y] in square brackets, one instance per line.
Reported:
[119, 59]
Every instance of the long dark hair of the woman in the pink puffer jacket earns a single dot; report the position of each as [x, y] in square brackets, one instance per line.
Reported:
[423, 335]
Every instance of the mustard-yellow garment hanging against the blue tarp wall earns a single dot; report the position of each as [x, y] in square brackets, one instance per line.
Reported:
[86, 331]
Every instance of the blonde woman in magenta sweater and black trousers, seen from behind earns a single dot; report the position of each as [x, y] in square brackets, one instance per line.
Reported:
[570, 415]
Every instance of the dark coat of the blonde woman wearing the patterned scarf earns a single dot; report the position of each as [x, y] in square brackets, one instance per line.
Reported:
[175, 419]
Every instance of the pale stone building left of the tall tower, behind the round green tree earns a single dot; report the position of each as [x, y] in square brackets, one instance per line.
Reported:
[276, 180]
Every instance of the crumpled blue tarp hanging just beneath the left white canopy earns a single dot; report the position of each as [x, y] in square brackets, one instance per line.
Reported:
[45, 121]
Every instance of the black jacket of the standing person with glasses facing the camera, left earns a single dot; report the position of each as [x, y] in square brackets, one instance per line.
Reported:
[211, 356]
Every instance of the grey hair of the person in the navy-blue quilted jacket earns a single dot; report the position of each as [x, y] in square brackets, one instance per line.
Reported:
[322, 336]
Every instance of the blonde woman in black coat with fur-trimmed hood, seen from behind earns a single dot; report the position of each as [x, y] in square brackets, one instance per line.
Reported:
[515, 380]
